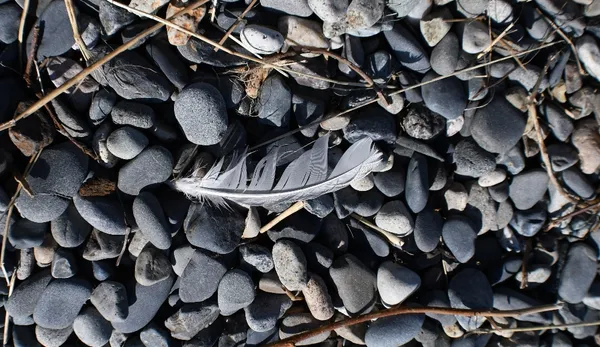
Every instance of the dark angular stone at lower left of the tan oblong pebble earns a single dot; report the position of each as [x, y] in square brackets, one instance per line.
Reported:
[262, 314]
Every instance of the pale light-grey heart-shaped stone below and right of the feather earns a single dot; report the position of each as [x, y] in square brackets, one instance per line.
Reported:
[396, 283]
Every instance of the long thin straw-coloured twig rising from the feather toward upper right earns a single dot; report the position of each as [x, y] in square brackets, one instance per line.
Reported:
[418, 85]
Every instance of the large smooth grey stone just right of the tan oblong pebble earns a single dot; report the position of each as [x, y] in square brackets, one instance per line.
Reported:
[355, 283]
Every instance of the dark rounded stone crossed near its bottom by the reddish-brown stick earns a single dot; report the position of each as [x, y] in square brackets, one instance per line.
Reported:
[470, 289]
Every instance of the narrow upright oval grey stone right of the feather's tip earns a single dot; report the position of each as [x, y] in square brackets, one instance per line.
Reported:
[417, 190]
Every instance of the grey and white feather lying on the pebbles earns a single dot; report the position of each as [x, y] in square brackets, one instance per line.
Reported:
[304, 178]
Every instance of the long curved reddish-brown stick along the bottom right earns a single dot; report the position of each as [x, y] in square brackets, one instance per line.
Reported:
[291, 341]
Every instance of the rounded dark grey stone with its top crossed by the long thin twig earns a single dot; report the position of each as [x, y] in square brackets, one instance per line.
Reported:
[446, 97]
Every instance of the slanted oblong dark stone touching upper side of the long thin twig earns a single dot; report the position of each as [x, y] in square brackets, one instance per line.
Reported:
[407, 49]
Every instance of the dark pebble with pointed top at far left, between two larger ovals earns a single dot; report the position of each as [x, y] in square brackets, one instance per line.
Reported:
[70, 230]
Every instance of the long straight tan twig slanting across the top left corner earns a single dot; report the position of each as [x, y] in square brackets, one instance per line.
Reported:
[85, 72]
